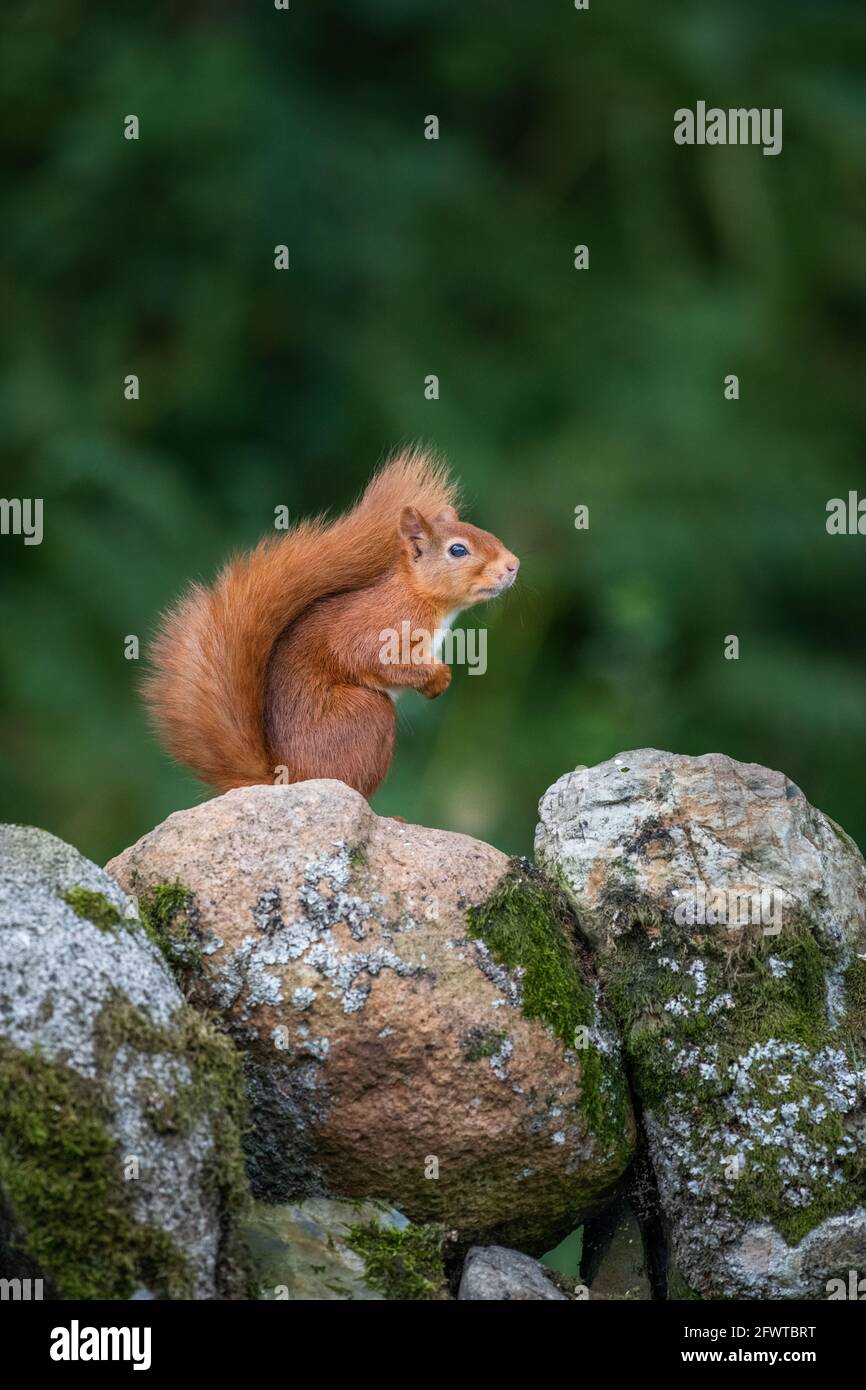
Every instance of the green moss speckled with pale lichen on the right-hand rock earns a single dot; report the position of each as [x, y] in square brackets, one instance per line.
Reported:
[692, 1010]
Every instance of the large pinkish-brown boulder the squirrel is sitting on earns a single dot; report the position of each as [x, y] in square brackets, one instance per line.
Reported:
[418, 1024]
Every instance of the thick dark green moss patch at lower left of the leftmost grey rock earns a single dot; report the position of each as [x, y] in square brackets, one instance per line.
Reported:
[62, 1177]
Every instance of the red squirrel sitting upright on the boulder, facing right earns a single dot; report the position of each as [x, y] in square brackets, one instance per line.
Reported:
[276, 673]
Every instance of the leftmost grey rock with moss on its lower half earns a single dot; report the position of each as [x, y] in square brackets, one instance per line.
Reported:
[120, 1107]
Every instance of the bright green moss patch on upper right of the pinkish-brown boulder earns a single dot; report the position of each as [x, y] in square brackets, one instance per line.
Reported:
[526, 925]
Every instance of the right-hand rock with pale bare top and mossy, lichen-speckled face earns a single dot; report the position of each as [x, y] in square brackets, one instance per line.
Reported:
[729, 926]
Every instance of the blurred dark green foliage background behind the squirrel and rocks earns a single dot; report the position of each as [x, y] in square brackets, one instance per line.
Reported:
[411, 256]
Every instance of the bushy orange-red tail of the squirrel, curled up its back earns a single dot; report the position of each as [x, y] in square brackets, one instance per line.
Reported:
[206, 687]
